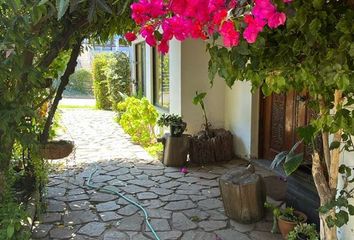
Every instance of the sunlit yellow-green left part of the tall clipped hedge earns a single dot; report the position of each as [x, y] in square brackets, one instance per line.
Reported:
[100, 84]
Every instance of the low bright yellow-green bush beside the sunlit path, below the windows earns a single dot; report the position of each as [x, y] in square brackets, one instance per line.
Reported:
[138, 118]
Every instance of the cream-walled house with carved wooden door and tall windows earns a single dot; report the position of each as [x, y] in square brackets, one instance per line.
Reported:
[261, 126]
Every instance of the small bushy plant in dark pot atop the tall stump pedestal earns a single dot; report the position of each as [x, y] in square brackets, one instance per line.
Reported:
[175, 122]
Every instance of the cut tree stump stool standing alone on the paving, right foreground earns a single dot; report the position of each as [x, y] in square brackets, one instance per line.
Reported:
[243, 194]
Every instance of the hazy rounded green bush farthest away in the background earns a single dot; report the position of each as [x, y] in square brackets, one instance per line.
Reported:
[81, 81]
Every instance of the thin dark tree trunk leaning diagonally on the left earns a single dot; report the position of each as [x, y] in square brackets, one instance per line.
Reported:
[64, 80]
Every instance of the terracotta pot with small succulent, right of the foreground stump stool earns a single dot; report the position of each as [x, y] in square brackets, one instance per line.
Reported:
[285, 219]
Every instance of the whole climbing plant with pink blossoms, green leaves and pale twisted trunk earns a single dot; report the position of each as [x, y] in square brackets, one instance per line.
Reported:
[287, 45]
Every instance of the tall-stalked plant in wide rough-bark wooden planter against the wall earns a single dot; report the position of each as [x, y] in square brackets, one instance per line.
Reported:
[210, 145]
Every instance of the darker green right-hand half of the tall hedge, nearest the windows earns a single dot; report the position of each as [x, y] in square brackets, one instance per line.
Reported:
[119, 79]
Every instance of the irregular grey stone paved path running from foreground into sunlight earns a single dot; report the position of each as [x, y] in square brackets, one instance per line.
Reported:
[181, 206]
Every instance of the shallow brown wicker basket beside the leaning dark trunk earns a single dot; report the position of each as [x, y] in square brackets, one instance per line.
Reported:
[56, 149]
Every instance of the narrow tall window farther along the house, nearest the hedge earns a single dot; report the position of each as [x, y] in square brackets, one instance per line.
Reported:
[140, 69]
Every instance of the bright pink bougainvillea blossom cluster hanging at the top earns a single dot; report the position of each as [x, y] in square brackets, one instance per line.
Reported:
[159, 20]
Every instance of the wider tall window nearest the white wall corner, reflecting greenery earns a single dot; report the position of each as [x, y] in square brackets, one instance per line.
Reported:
[161, 80]
